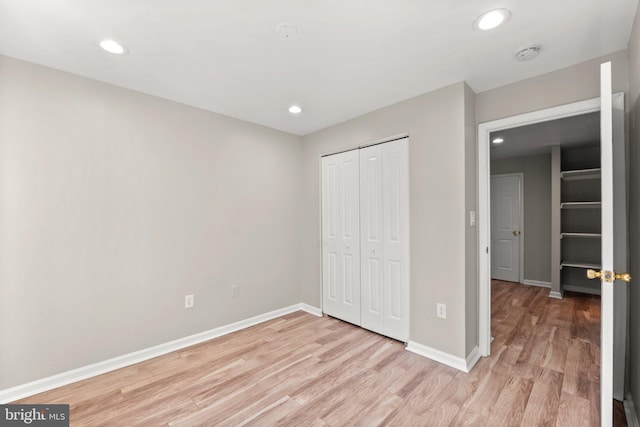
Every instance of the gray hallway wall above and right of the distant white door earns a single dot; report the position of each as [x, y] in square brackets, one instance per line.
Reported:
[537, 211]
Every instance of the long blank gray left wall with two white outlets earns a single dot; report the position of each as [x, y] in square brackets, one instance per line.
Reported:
[114, 205]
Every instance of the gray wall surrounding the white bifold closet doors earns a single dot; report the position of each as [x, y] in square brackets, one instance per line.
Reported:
[441, 191]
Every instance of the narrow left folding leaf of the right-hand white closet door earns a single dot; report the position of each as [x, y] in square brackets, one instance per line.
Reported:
[371, 229]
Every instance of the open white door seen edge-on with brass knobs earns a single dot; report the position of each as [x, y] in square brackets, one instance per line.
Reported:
[613, 310]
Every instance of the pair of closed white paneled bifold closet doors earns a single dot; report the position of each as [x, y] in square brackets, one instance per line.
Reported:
[383, 201]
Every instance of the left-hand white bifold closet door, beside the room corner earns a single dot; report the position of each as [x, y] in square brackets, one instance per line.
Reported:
[341, 236]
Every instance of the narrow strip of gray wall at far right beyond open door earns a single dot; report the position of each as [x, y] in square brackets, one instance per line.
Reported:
[634, 133]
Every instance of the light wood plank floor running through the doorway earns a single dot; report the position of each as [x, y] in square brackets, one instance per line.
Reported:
[300, 370]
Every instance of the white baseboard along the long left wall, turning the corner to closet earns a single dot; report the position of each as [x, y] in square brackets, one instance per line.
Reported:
[64, 378]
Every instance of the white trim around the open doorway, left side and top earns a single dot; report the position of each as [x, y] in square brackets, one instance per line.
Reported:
[484, 200]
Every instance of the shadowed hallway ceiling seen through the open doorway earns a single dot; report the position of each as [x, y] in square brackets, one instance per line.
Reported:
[540, 137]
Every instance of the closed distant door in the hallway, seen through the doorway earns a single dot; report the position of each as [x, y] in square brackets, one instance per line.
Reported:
[506, 193]
